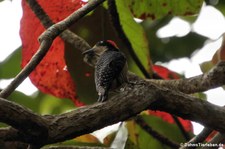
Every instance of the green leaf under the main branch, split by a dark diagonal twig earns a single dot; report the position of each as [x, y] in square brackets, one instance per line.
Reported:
[140, 139]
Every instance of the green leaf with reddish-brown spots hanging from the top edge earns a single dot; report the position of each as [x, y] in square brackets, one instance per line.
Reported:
[155, 9]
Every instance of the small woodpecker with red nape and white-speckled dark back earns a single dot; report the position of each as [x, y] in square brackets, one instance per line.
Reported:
[110, 69]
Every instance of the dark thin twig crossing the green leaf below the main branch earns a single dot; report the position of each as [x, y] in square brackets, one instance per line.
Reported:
[161, 138]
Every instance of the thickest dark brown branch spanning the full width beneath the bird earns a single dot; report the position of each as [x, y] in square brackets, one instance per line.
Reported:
[124, 105]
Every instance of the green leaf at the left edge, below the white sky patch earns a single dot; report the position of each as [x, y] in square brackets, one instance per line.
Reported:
[10, 67]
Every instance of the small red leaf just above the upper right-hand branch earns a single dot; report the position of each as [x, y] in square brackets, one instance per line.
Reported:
[165, 73]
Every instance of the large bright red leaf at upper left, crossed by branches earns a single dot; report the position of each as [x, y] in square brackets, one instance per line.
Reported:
[51, 75]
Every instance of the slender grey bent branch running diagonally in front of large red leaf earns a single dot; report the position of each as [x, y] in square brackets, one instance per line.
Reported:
[46, 40]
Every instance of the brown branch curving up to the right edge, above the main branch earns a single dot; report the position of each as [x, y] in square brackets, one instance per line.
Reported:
[212, 79]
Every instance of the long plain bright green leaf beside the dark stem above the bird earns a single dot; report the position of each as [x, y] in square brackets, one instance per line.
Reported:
[135, 33]
